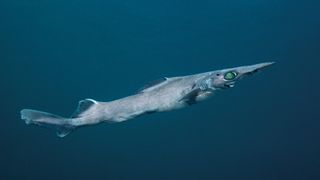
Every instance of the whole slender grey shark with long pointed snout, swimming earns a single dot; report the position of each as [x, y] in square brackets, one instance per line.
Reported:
[162, 95]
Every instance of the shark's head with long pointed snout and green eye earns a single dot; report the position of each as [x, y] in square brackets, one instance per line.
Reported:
[226, 78]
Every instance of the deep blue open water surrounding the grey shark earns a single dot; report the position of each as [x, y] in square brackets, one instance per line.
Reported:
[54, 53]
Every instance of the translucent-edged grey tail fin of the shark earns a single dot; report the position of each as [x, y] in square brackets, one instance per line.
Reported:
[62, 125]
